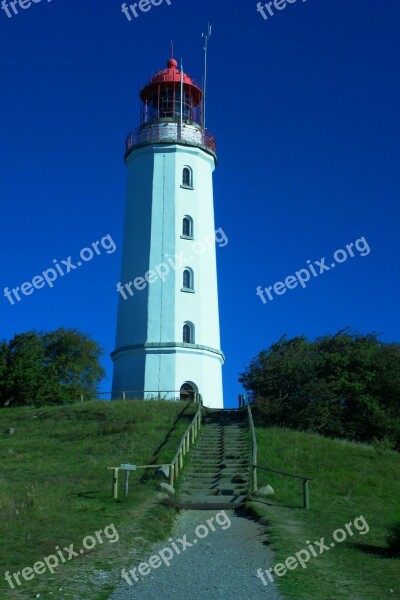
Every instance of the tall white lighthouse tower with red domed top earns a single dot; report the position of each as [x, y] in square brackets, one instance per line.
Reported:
[168, 339]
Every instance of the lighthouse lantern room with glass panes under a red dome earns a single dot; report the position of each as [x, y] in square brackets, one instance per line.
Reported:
[163, 100]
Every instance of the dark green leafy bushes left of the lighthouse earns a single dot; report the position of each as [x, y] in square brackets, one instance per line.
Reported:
[48, 368]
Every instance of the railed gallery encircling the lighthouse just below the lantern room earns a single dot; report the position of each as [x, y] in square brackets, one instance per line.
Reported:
[170, 132]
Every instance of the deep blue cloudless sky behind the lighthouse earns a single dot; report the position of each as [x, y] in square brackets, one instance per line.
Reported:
[305, 110]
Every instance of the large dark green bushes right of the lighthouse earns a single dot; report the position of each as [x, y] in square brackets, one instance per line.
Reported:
[345, 385]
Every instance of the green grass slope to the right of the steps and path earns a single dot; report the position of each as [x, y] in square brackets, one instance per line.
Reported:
[350, 480]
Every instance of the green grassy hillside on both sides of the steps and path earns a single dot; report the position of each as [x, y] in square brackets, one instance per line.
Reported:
[55, 491]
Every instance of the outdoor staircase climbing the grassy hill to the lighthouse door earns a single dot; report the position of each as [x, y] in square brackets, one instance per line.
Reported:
[218, 473]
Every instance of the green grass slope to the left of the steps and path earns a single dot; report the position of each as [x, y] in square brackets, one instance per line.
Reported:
[55, 490]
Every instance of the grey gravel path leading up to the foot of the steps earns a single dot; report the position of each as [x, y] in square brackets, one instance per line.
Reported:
[221, 565]
